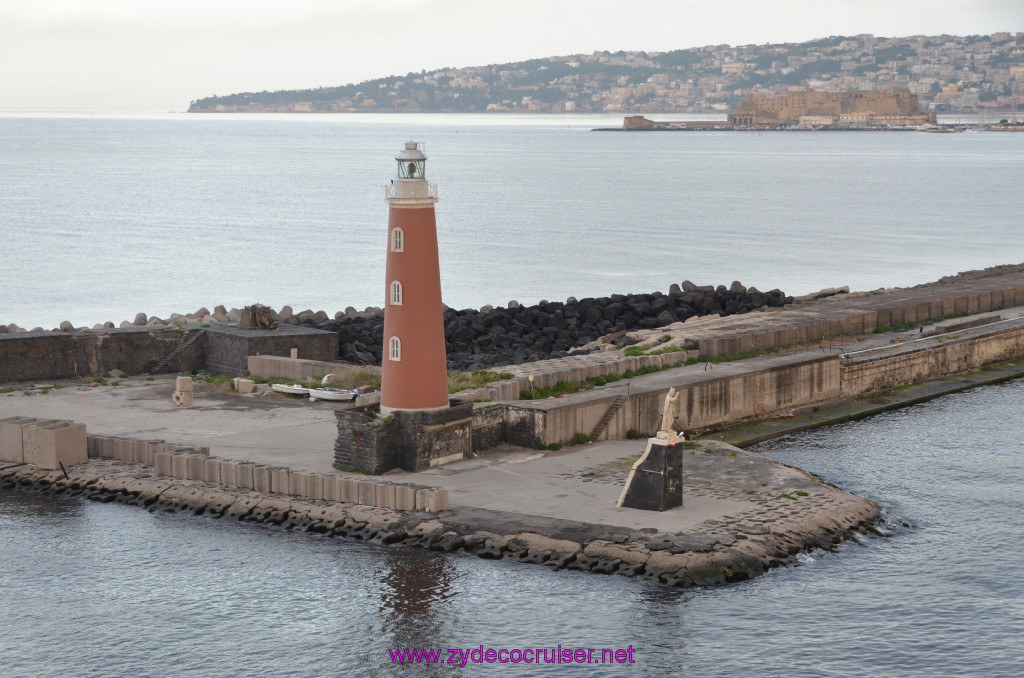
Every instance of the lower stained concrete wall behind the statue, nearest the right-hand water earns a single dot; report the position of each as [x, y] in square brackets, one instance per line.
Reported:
[755, 389]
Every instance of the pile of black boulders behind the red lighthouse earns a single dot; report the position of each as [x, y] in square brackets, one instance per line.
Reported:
[516, 334]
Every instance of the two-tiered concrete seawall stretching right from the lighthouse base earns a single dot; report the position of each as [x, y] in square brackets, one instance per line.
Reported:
[831, 349]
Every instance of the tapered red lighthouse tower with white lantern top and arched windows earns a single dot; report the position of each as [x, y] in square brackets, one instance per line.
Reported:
[415, 368]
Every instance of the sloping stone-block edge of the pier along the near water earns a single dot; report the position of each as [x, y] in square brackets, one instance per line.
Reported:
[793, 513]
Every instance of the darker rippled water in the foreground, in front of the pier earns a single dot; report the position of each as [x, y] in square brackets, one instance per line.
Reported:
[107, 590]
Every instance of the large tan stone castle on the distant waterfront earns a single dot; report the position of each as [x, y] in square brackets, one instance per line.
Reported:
[877, 108]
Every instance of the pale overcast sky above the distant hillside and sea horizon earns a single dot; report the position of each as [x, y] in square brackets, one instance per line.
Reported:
[163, 54]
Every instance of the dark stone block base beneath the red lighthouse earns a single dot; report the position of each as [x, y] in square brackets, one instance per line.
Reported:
[410, 440]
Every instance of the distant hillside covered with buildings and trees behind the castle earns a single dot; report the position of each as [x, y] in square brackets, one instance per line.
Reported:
[949, 74]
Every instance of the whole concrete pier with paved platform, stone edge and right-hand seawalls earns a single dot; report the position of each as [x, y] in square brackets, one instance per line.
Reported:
[271, 459]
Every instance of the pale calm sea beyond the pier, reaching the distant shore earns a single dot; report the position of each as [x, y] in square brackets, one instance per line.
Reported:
[104, 217]
